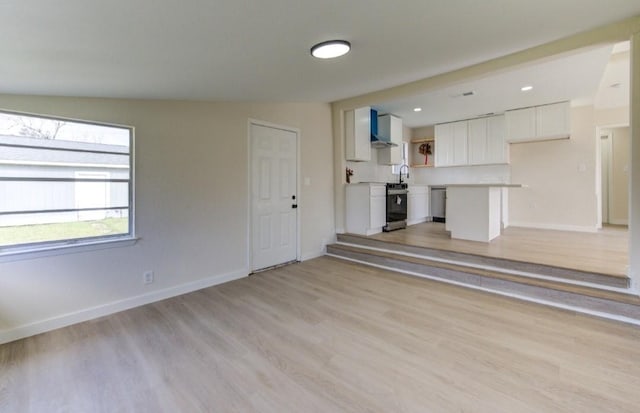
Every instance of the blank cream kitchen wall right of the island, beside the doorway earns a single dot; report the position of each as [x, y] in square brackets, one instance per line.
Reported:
[560, 176]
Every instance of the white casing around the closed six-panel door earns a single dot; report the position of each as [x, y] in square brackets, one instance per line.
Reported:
[257, 122]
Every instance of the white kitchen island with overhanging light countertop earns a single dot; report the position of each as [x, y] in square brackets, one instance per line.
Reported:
[474, 210]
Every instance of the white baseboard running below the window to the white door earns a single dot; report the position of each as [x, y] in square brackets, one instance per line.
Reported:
[115, 307]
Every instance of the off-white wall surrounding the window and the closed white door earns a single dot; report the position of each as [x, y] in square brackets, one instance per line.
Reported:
[191, 204]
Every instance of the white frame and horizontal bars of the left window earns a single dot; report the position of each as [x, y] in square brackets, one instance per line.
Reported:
[71, 245]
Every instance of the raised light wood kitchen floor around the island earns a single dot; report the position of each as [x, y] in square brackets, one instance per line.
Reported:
[605, 251]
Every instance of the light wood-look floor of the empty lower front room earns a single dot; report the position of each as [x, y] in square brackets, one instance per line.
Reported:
[328, 336]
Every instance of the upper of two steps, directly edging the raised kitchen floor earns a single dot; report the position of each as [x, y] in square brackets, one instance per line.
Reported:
[487, 262]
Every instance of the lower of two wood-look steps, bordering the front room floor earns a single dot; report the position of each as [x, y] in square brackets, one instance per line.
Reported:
[566, 294]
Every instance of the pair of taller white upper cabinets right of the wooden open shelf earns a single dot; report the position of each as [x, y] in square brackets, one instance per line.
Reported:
[471, 142]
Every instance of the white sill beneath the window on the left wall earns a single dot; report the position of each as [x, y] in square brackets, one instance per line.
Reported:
[40, 252]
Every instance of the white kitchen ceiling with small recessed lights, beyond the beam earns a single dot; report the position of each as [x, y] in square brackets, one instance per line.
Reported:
[575, 77]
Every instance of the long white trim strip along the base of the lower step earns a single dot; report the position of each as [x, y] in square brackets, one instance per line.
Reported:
[582, 310]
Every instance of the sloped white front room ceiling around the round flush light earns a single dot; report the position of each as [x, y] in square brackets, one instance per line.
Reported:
[259, 50]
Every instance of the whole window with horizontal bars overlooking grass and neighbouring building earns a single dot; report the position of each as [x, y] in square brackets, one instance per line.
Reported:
[63, 182]
